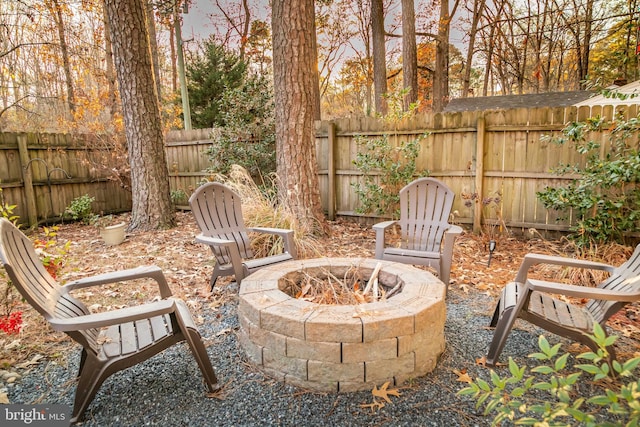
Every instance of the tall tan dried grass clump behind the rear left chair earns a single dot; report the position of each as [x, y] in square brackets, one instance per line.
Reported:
[261, 207]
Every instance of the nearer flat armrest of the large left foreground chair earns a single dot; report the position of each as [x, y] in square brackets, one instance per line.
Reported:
[115, 317]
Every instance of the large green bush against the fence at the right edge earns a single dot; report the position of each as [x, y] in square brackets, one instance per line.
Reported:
[605, 199]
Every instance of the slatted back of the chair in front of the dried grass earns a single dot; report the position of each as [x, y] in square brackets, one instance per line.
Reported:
[218, 212]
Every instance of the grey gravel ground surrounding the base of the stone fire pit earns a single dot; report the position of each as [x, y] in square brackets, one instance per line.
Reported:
[167, 389]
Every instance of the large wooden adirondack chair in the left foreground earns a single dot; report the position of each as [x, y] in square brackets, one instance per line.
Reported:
[132, 334]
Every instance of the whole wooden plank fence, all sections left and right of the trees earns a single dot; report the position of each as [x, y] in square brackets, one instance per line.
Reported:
[498, 155]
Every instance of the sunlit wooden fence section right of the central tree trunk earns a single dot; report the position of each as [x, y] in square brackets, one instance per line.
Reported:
[492, 155]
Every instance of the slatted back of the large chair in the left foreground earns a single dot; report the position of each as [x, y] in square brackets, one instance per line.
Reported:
[35, 284]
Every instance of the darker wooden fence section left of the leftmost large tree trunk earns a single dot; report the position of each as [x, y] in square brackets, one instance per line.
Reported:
[42, 173]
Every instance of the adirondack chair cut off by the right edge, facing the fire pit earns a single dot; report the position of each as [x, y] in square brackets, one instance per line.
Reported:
[533, 301]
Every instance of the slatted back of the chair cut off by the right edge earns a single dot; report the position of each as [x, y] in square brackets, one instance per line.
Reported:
[626, 277]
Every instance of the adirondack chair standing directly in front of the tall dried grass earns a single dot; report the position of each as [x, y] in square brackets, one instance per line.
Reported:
[218, 212]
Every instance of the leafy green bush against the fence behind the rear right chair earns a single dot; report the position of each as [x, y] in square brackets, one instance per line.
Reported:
[385, 168]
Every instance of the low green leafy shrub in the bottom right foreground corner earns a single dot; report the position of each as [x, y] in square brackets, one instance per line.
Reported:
[517, 398]
